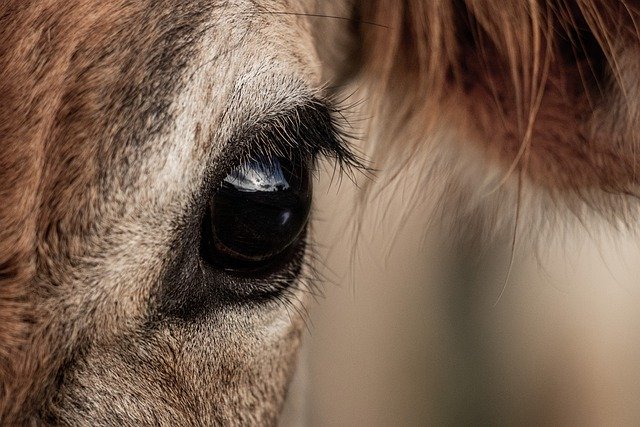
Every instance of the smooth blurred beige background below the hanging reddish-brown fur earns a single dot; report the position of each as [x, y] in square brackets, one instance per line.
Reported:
[417, 329]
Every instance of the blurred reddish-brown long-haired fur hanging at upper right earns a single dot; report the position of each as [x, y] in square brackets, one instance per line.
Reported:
[546, 91]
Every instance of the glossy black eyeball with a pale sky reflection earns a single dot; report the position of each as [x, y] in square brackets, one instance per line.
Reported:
[258, 213]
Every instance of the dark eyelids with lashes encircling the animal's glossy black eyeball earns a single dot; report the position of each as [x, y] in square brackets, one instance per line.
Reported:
[309, 134]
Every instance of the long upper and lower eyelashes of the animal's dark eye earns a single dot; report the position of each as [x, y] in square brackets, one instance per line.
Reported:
[308, 133]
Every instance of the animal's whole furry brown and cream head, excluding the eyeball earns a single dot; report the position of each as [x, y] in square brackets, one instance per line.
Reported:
[116, 118]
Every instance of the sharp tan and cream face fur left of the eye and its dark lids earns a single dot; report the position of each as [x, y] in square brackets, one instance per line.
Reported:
[110, 113]
